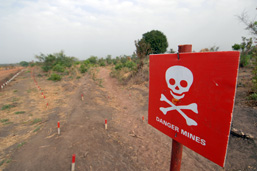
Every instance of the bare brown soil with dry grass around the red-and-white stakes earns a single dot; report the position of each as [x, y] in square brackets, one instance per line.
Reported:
[29, 140]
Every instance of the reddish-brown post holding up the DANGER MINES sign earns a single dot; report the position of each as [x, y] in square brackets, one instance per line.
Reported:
[177, 148]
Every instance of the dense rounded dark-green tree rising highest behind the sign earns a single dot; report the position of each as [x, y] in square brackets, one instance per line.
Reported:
[157, 41]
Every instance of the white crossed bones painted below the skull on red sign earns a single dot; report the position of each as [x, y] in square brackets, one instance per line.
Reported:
[192, 106]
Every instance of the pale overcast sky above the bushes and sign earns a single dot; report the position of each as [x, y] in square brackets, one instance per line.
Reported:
[82, 28]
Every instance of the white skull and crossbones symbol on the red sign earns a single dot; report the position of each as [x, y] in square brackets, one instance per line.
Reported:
[179, 80]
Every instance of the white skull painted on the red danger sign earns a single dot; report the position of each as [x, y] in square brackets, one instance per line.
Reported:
[179, 79]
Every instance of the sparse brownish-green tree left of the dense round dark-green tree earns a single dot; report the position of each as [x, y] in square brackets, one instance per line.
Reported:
[142, 50]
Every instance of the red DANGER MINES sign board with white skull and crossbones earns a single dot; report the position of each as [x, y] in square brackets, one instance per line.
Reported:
[191, 99]
